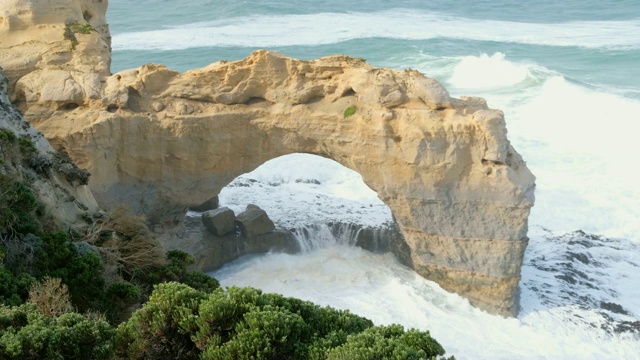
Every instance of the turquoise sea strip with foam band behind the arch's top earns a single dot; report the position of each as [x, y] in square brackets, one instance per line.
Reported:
[594, 42]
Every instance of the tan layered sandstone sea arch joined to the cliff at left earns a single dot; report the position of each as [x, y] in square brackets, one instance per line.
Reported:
[160, 141]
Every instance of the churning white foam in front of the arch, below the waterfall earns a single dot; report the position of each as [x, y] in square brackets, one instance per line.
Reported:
[377, 287]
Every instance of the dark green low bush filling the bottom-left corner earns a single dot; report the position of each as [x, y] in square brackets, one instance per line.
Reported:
[27, 334]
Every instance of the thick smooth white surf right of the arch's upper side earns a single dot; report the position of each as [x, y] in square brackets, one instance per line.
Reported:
[582, 145]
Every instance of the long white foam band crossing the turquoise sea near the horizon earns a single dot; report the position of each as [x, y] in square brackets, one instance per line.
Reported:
[326, 28]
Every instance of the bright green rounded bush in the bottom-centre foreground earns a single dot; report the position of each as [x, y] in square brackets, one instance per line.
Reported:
[243, 323]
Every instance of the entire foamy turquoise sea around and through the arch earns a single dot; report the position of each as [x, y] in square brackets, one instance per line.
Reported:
[567, 76]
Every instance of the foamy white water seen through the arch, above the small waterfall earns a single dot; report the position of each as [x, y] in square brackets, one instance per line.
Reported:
[302, 189]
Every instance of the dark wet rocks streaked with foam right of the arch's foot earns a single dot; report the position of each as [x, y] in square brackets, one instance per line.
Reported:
[582, 271]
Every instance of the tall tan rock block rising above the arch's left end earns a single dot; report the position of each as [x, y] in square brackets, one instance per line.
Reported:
[62, 46]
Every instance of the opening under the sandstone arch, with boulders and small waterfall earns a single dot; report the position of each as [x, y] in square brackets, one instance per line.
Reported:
[313, 202]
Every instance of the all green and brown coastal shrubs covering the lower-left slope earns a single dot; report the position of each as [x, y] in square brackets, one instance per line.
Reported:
[107, 290]
